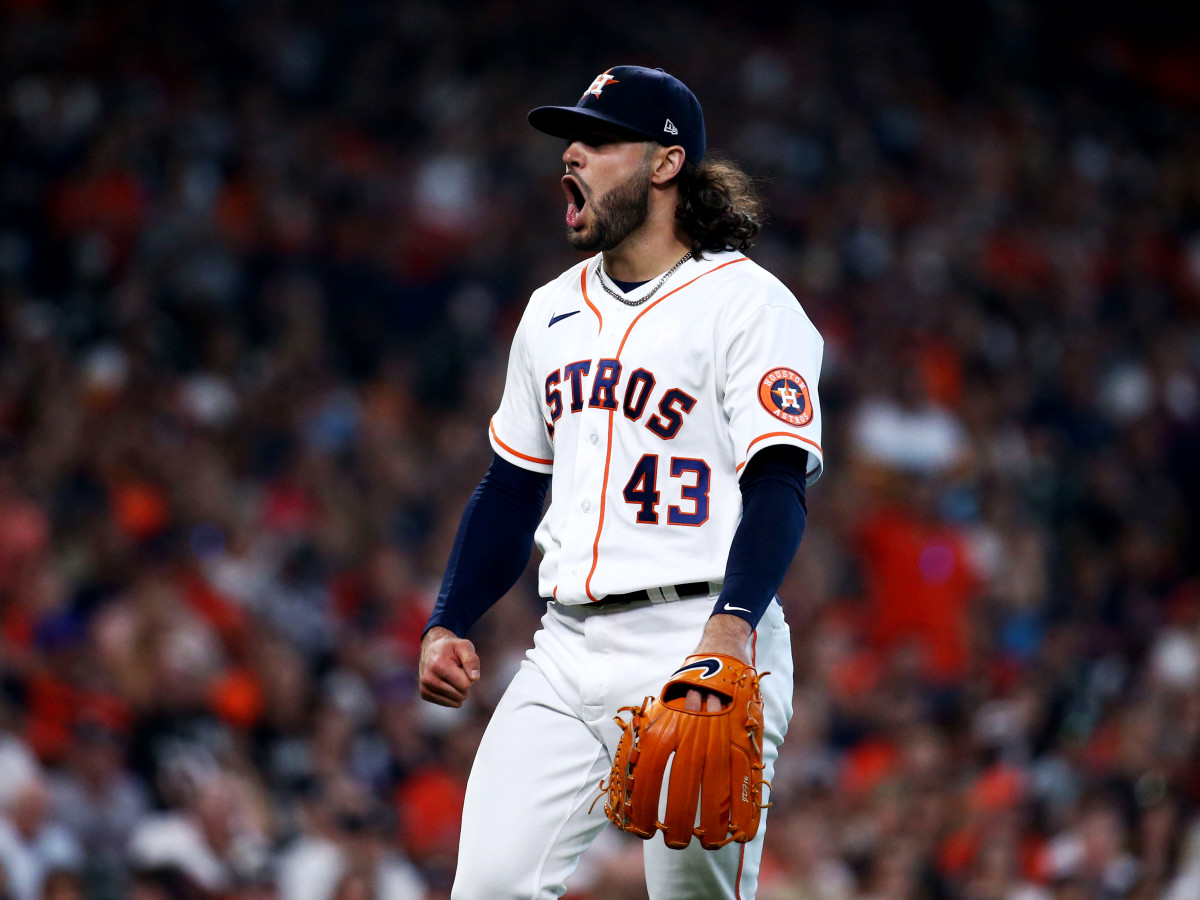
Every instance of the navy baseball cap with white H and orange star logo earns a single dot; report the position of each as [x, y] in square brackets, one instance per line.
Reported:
[645, 103]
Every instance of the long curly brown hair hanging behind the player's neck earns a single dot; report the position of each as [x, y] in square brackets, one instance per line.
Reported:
[719, 207]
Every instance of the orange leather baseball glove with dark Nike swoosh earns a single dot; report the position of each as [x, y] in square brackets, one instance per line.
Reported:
[717, 765]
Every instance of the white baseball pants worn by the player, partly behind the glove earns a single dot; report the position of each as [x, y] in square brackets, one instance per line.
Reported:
[551, 741]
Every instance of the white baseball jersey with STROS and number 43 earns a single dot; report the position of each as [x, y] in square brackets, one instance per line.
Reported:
[646, 416]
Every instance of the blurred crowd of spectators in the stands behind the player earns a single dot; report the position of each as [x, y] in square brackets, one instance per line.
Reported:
[260, 266]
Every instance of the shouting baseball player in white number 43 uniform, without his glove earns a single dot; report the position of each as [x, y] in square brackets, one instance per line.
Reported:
[667, 388]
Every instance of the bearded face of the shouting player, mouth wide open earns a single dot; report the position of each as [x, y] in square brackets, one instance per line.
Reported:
[608, 188]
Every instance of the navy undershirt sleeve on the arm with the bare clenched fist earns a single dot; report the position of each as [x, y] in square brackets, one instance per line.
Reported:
[493, 545]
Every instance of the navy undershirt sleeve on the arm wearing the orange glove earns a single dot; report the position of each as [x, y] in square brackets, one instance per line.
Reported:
[773, 517]
